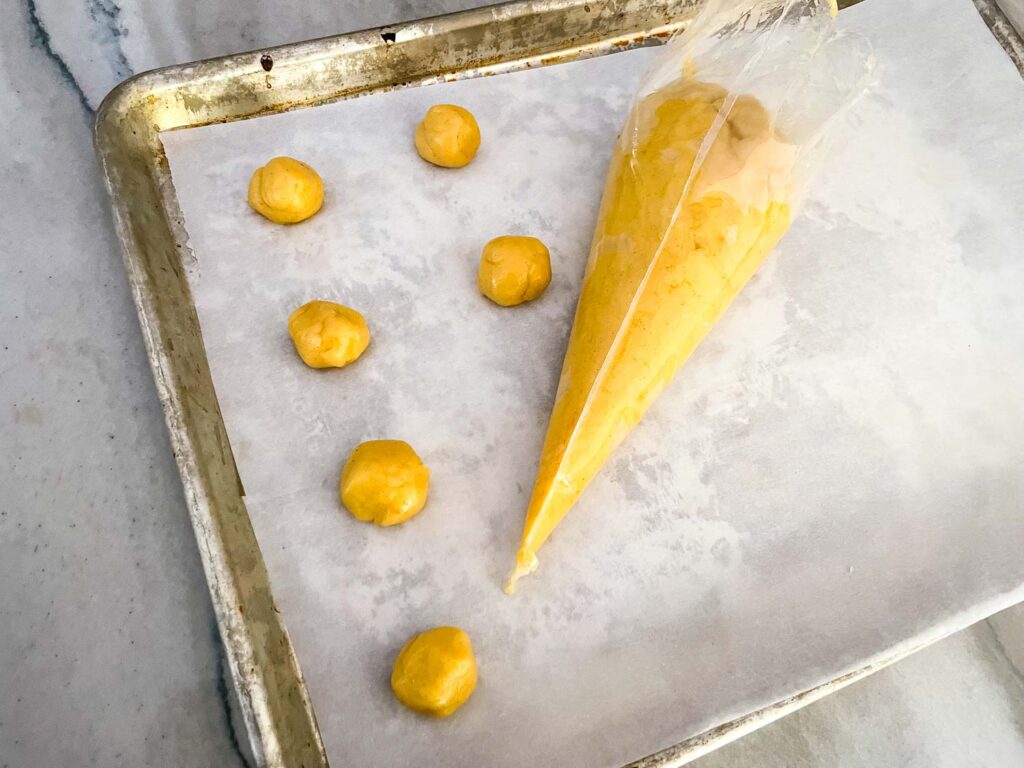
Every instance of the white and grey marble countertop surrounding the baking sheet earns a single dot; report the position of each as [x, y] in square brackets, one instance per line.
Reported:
[108, 649]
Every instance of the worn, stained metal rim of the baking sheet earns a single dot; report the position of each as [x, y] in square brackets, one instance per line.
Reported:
[273, 696]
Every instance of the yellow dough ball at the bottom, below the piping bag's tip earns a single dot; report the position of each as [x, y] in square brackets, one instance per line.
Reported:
[436, 673]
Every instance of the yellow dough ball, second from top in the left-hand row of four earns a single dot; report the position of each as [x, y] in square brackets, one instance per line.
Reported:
[328, 335]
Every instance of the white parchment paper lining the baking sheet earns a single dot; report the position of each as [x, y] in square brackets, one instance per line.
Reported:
[837, 473]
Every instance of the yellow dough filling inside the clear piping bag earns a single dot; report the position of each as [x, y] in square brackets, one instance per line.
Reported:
[698, 195]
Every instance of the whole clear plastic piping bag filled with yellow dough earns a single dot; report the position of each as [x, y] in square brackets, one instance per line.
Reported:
[705, 179]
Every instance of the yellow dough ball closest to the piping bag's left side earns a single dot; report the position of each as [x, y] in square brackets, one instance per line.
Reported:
[515, 270]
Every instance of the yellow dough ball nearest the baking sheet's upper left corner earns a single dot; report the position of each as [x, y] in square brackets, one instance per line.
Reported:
[286, 191]
